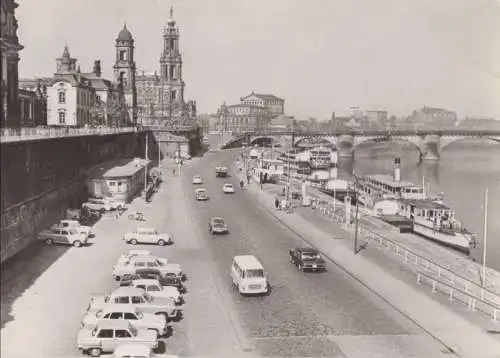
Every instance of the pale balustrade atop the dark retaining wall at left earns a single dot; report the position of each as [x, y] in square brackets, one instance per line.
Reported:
[38, 133]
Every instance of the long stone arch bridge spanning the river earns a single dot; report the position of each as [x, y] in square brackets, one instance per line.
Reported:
[429, 143]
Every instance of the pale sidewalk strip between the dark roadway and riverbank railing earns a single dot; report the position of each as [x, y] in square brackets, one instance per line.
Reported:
[455, 332]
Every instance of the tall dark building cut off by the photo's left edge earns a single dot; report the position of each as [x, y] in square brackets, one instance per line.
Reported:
[10, 48]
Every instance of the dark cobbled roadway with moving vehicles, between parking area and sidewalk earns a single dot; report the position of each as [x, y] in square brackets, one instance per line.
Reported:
[324, 314]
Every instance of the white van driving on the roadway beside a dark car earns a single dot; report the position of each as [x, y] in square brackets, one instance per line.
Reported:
[248, 275]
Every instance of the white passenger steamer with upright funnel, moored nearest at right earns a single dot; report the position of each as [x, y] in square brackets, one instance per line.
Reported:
[431, 217]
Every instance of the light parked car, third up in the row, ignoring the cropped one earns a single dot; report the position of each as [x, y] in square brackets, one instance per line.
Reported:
[138, 298]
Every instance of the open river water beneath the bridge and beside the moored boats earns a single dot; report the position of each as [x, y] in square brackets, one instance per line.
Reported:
[463, 173]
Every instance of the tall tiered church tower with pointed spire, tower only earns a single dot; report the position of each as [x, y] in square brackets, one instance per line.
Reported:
[171, 65]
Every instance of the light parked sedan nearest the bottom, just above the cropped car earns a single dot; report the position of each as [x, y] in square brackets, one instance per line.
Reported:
[109, 334]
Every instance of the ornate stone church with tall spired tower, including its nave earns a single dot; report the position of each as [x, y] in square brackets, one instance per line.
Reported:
[160, 97]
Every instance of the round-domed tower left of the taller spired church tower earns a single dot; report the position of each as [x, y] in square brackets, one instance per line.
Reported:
[124, 70]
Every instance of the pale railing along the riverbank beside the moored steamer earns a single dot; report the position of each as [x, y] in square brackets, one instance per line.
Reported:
[480, 293]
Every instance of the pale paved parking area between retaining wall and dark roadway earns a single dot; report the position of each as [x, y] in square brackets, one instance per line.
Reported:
[46, 293]
